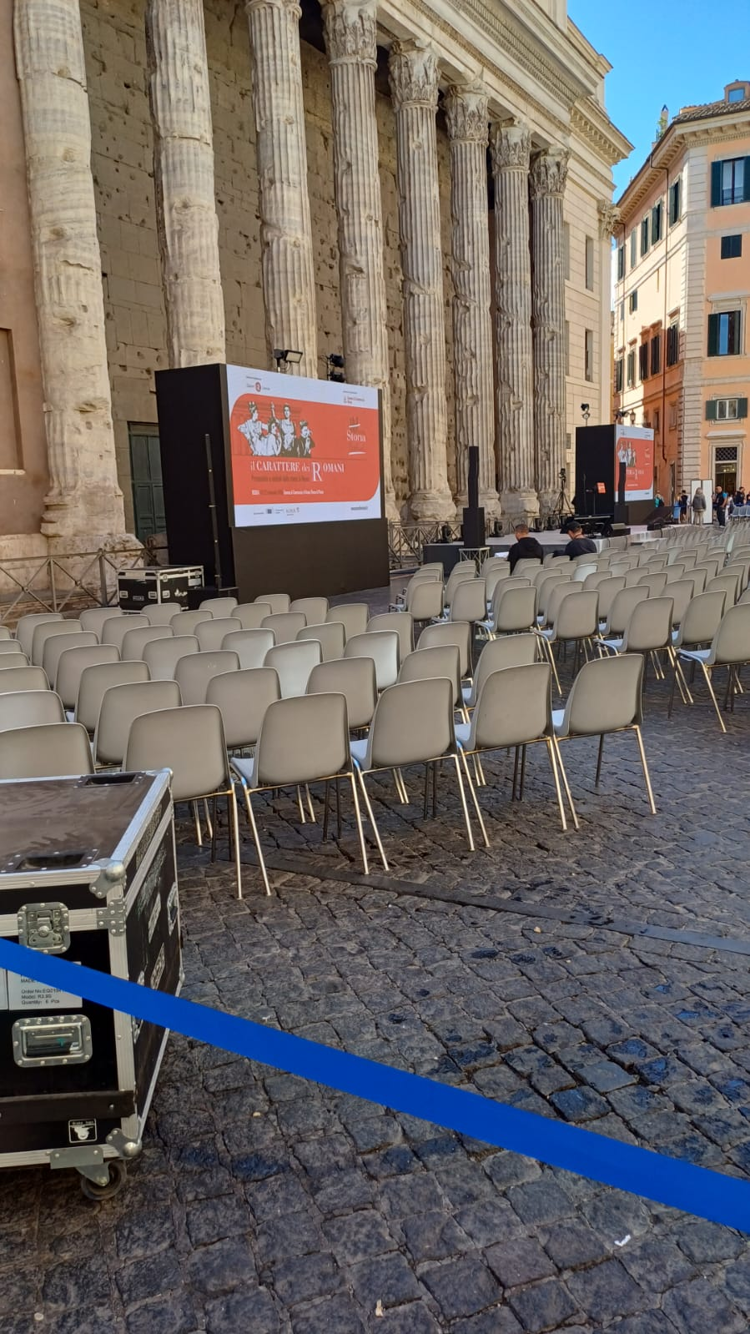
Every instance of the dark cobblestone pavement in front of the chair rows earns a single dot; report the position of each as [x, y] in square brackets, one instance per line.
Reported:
[270, 1207]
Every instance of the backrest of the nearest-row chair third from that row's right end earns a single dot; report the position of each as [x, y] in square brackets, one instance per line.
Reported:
[414, 722]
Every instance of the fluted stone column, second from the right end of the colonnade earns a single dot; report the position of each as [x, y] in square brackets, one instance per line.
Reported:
[512, 146]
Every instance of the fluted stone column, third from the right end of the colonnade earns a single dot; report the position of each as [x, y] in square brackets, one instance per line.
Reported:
[466, 114]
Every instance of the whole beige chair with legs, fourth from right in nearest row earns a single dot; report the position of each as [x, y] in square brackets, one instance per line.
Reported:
[304, 741]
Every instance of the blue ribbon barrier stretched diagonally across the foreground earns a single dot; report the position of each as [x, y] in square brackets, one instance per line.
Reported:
[641, 1172]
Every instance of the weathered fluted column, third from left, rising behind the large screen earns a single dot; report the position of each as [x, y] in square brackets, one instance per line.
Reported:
[286, 234]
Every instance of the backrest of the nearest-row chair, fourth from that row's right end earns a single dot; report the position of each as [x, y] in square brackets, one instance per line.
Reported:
[302, 738]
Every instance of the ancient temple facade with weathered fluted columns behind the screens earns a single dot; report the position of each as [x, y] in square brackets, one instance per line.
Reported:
[422, 190]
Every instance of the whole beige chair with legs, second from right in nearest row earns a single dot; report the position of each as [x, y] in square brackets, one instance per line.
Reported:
[513, 713]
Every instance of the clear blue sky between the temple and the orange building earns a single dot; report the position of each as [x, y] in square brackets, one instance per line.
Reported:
[679, 53]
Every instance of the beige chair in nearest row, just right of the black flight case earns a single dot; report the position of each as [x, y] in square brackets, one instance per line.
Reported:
[190, 742]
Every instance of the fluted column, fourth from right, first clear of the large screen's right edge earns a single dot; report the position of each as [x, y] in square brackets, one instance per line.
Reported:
[414, 90]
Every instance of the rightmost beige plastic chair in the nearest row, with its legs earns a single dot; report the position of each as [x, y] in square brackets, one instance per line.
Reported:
[607, 697]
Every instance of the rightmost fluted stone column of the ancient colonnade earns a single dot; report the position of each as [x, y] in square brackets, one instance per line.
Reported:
[549, 171]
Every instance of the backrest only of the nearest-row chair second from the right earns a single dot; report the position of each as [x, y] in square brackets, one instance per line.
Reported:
[513, 709]
